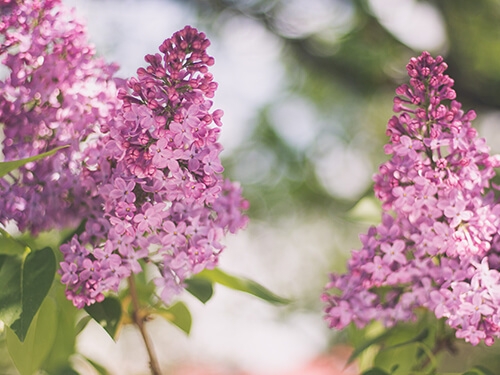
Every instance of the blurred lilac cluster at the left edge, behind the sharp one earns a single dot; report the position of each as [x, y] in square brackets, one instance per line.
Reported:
[57, 94]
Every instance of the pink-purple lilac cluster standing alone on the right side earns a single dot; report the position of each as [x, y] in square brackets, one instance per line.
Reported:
[437, 245]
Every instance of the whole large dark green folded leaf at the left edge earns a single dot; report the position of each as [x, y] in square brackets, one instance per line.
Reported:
[25, 282]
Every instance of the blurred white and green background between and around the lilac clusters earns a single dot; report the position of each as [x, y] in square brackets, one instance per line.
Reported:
[306, 87]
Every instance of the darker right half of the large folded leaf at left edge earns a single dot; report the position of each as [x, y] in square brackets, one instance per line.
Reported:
[38, 270]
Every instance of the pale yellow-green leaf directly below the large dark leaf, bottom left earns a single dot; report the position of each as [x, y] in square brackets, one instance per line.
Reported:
[29, 355]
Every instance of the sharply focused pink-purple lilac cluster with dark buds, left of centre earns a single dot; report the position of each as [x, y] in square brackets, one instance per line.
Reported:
[165, 201]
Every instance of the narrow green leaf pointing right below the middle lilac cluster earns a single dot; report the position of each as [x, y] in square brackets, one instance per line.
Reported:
[241, 284]
